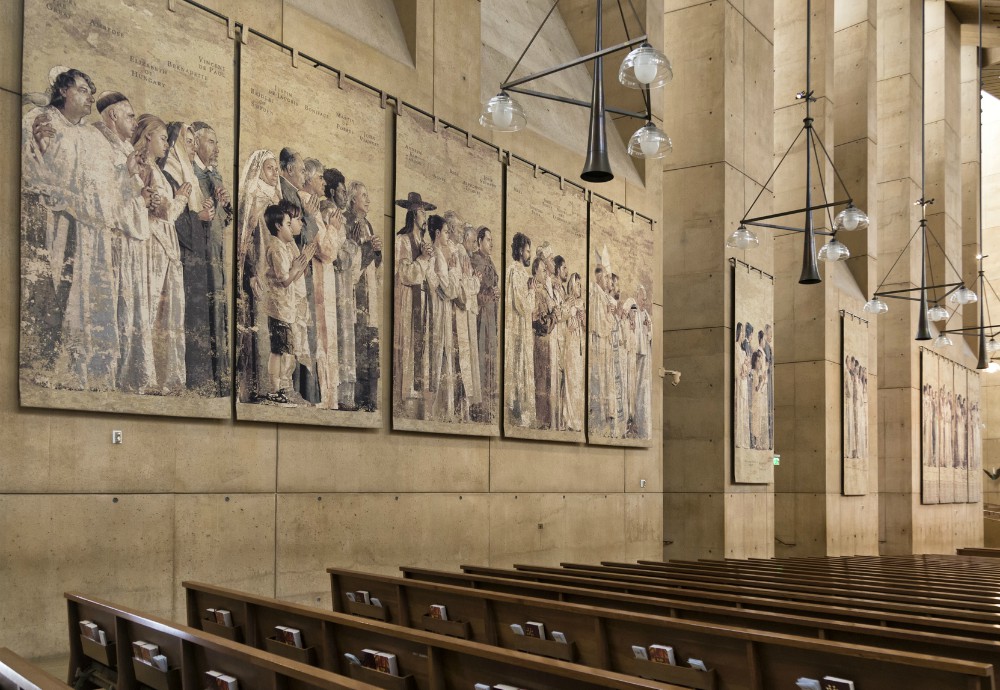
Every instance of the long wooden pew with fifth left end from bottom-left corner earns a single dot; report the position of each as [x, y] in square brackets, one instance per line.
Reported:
[718, 607]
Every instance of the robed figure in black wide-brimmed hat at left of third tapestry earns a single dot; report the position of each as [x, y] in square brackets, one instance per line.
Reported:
[413, 261]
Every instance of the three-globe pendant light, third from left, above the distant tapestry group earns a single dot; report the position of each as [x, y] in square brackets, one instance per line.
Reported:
[956, 293]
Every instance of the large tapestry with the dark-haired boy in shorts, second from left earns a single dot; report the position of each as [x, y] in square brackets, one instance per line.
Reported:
[309, 244]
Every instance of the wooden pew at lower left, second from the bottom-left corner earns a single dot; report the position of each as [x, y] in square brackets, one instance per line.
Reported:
[191, 654]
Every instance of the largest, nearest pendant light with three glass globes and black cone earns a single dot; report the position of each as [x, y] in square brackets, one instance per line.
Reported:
[644, 68]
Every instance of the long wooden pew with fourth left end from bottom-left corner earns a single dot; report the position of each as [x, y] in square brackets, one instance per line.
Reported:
[484, 616]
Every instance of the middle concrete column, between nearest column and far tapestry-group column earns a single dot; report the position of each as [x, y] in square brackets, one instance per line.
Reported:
[812, 517]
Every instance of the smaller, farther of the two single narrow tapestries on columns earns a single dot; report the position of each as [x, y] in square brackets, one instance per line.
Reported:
[855, 409]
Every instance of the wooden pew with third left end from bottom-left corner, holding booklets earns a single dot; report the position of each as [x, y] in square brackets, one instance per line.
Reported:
[429, 661]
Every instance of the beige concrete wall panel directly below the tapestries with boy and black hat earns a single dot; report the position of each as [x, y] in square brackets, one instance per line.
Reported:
[343, 460]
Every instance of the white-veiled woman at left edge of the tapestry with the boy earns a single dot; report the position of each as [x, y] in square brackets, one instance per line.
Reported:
[258, 190]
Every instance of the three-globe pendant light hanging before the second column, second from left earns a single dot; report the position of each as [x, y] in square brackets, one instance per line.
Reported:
[849, 219]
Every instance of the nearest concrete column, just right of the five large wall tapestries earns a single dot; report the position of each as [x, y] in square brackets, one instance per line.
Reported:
[720, 118]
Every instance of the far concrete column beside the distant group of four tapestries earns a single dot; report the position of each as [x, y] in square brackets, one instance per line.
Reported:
[908, 526]
